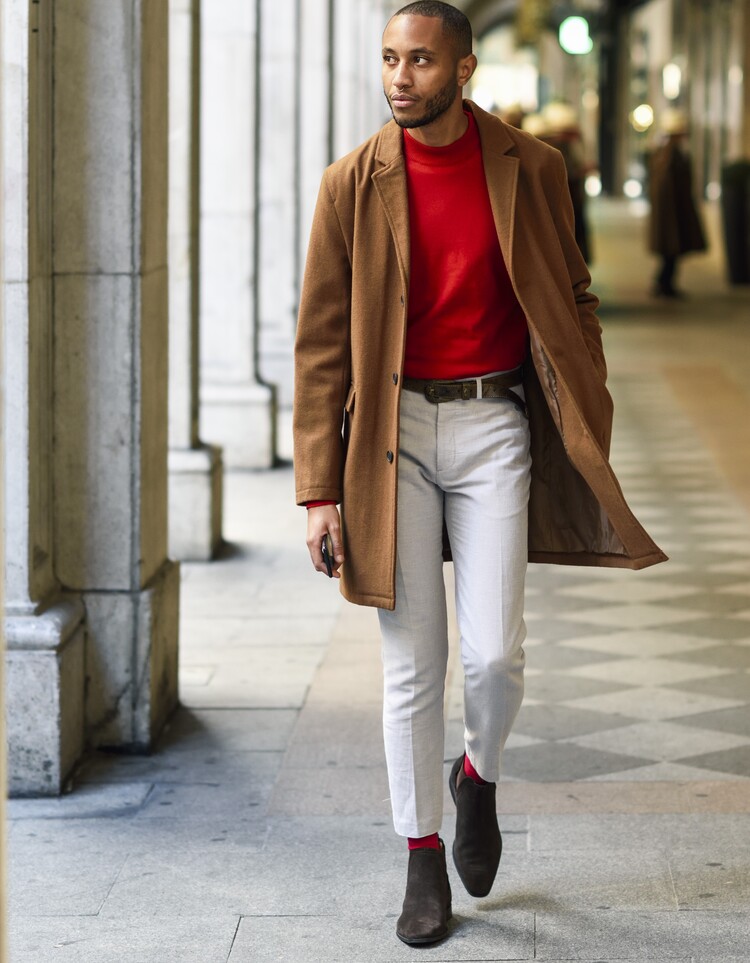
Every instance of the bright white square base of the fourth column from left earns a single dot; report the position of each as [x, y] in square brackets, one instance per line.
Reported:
[241, 418]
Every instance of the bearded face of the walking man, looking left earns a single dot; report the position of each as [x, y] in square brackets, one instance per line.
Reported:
[421, 70]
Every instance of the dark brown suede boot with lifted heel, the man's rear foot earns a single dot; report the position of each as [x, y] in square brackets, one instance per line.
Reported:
[478, 844]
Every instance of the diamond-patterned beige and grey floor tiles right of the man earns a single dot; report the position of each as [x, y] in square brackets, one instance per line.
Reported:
[645, 675]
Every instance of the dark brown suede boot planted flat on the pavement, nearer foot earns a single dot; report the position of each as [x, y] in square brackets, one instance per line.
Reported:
[427, 904]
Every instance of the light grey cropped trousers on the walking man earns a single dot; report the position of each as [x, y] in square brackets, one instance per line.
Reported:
[467, 462]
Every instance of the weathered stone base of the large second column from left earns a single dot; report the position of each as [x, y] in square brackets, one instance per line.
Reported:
[131, 662]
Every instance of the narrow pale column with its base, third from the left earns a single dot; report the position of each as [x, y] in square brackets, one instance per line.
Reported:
[195, 469]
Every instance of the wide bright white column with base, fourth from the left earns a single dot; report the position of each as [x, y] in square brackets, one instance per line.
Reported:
[237, 410]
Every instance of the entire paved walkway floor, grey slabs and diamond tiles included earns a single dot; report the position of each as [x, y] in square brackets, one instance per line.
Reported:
[260, 829]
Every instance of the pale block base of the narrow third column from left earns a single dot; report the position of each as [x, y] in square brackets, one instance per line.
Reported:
[196, 478]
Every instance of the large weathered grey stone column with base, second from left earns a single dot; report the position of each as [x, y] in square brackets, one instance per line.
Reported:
[110, 361]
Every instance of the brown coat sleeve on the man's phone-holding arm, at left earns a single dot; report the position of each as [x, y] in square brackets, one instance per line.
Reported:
[322, 366]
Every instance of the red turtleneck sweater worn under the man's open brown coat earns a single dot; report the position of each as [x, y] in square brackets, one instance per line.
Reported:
[464, 319]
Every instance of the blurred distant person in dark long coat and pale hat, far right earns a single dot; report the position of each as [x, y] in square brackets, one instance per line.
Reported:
[674, 227]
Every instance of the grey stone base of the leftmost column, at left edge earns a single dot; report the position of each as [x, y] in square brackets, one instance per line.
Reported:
[44, 697]
